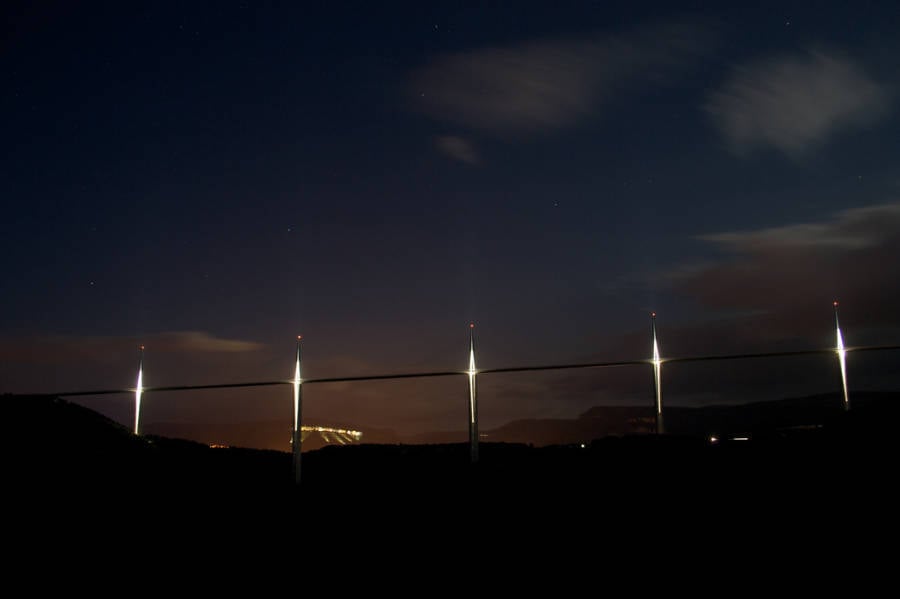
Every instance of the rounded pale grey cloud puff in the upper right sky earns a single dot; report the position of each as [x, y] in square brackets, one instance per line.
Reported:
[795, 103]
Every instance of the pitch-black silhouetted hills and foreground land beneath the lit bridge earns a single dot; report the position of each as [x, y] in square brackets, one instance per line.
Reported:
[82, 492]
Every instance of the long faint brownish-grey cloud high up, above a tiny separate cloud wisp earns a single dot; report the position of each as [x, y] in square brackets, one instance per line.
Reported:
[547, 84]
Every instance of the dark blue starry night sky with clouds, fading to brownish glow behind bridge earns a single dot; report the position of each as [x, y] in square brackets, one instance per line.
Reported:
[211, 179]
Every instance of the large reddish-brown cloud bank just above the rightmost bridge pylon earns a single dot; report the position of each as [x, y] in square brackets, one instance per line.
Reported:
[791, 273]
